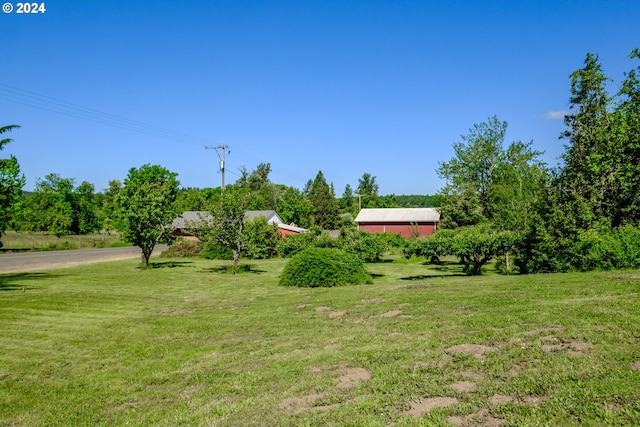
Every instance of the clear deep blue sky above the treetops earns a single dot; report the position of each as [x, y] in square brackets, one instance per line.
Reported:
[346, 87]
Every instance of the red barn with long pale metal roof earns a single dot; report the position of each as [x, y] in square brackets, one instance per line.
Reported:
[408, 222]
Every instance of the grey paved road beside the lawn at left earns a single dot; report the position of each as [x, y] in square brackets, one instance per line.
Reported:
[19, 262]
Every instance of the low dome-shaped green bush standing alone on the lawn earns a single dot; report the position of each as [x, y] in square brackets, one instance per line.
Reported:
[324, 267]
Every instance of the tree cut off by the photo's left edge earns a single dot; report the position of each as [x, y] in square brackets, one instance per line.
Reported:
[11, 182]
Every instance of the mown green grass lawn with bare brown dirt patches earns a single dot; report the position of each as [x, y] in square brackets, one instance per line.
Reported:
[185, 343]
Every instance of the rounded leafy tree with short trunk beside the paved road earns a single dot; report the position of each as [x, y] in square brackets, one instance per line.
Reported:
[146, 207]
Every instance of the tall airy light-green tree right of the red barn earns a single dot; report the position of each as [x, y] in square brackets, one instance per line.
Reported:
[486, 182]
